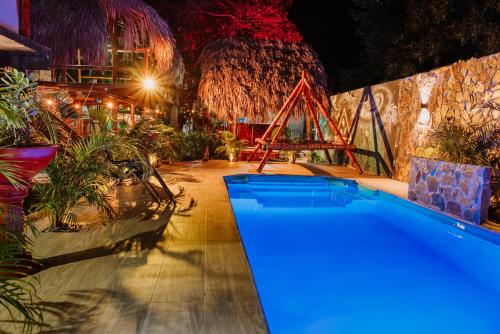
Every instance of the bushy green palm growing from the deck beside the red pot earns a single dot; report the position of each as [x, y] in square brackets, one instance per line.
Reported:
[82, 171]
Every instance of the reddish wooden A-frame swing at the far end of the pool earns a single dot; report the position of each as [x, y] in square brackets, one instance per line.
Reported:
[269, 141]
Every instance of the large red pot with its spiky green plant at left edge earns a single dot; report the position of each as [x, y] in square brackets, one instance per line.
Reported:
[18, 106]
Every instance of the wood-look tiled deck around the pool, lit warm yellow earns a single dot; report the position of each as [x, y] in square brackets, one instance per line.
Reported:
[180, 273]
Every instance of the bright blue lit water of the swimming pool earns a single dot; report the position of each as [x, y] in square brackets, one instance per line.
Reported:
[329, 256]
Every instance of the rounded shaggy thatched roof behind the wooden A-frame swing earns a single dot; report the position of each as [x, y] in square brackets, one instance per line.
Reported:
[254, 78]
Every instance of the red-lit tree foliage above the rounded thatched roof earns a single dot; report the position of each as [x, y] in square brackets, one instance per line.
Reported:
[198, 22]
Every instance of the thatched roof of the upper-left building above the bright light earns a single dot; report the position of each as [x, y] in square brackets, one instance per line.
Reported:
[69, 25]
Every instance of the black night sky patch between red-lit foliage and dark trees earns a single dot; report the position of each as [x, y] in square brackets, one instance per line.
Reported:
[330, 32]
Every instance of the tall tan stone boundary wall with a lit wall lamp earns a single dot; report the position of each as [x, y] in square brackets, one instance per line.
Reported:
[391, 123]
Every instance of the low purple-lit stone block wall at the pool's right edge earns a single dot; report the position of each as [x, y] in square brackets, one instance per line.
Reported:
[457, 189]
